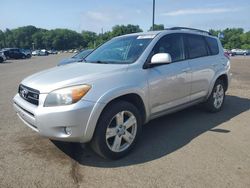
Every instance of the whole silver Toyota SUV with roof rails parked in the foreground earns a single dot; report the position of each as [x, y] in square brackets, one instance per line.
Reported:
[122, 85]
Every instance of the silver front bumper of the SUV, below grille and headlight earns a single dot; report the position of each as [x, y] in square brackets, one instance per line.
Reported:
[52, 121]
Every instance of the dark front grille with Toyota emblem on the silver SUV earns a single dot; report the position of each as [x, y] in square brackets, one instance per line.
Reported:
[29, 94]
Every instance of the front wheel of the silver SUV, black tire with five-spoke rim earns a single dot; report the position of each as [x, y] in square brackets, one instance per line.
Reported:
[117, 130]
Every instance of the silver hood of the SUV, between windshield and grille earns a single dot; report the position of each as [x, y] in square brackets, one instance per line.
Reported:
[72, 74]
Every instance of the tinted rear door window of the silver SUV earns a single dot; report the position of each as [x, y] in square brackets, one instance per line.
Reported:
[196, 46]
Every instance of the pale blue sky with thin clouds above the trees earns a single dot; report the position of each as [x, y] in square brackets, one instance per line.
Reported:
[96, 14]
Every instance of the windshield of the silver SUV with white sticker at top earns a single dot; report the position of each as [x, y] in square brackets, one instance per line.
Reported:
[122, 50]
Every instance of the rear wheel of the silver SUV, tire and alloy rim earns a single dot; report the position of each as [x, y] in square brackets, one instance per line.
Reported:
[216, 99]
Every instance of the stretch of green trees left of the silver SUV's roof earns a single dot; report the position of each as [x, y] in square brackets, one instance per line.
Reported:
[59, 39]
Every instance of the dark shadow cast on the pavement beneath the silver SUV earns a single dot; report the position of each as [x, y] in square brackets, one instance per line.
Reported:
[164, 135]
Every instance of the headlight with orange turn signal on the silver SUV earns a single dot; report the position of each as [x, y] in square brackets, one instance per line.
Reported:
[66, 96]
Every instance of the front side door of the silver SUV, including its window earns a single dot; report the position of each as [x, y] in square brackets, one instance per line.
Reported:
[169, 84]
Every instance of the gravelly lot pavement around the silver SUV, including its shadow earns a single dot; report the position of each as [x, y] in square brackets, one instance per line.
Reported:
[190, 148]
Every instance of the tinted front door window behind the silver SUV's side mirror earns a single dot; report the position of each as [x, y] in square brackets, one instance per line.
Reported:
[172, 44]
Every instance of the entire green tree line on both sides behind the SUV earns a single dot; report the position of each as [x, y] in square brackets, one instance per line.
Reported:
[64, 39]
